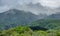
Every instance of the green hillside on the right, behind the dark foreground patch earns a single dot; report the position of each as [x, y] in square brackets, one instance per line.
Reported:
[47, 23]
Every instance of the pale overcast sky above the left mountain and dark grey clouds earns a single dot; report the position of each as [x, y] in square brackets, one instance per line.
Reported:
[8, 4]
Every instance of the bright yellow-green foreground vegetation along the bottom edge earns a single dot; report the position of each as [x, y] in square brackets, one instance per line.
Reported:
[26, 31]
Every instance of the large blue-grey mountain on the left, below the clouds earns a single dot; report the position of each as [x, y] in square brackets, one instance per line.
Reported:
[14, 17]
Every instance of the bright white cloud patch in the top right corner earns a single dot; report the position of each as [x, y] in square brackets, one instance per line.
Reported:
[50, 3]
